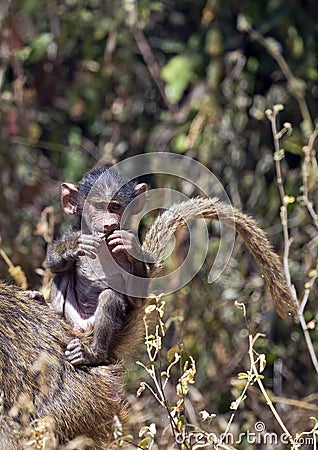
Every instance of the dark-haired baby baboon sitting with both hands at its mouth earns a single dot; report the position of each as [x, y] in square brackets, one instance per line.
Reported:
[93, 261]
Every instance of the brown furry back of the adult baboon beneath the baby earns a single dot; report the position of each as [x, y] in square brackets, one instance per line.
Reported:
[34, 371]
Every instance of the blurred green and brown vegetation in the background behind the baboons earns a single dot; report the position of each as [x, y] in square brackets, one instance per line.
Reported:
[86, 82]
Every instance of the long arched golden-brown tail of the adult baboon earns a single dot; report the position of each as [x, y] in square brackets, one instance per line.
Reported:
[179, 215]
